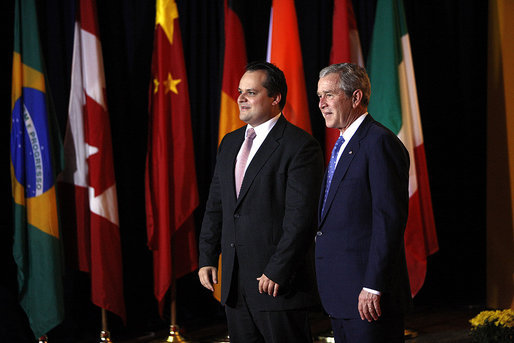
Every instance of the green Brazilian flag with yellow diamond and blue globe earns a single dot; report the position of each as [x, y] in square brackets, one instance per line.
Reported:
[35, 162]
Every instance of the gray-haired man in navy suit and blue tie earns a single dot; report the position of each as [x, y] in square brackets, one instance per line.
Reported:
[360, 258]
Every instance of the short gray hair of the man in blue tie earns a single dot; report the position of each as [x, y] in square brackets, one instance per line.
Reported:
[351, 78]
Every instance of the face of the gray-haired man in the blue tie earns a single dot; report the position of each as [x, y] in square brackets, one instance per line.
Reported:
[335, 106]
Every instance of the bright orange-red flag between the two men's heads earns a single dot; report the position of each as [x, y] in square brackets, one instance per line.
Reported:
[285, 52]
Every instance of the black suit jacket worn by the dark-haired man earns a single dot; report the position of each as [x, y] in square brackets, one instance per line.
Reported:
[272, 225]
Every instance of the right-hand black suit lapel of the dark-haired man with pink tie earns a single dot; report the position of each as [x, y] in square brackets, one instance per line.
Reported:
[266, 150]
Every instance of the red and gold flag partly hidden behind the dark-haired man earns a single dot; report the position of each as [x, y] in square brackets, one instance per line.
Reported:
[234, 63]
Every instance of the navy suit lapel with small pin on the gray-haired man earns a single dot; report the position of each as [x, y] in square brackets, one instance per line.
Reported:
[350, 151]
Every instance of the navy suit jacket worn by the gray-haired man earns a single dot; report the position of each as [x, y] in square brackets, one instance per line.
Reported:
[361, 238]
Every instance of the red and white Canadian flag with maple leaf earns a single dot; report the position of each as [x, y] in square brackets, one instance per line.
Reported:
[89, 171]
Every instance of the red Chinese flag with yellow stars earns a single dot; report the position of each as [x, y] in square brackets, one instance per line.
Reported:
[170, 180]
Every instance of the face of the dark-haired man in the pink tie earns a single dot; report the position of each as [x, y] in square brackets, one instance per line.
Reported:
[255, 106]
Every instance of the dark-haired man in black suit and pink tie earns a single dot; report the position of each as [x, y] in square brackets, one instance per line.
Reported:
[264, 222]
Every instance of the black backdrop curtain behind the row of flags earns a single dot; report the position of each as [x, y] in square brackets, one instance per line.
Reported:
[449, 47]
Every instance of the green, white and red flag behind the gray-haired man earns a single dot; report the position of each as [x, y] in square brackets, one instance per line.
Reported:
[394, 103]
